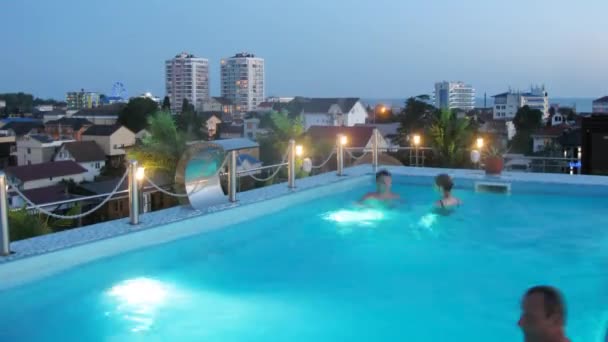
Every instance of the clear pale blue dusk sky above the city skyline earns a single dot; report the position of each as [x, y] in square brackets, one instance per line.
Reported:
[371, 49]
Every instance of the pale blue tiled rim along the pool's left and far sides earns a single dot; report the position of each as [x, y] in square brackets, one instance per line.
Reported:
[69, 248]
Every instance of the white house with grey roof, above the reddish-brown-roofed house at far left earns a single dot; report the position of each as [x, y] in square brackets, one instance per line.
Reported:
[37, 148]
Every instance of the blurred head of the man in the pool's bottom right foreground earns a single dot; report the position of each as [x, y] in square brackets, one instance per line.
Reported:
[543, 315]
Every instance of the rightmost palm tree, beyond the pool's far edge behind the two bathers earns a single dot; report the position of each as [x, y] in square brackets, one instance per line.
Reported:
[450, 138]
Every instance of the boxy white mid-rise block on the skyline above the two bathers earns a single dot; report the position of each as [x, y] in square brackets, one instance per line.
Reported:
[454, 95]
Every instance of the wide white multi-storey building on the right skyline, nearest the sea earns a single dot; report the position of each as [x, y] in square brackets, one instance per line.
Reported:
[507, 104]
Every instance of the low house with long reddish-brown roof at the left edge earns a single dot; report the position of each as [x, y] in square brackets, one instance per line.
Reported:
[34, 176]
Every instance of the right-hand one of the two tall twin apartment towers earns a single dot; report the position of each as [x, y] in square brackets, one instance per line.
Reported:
[243, 81]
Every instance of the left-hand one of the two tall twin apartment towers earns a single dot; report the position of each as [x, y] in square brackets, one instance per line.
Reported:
[186, 77]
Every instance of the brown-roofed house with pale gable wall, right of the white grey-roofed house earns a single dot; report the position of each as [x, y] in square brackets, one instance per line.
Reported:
[87, 154]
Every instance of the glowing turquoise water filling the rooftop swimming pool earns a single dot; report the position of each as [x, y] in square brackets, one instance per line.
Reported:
[325, 271]
